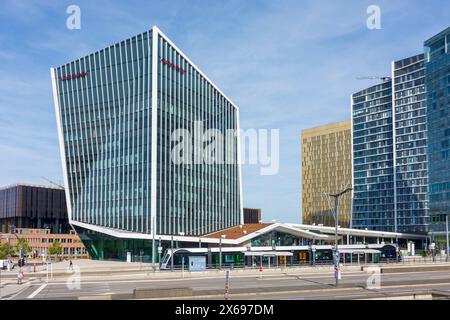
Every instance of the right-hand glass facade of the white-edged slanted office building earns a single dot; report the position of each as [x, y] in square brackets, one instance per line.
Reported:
[195, 198]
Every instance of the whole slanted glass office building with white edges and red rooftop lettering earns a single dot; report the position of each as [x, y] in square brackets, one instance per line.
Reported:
[116, 112]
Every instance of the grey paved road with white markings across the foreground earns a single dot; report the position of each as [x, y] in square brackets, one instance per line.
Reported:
[276, 286]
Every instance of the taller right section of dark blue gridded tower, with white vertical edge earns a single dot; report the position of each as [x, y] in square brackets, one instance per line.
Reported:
[410, 147]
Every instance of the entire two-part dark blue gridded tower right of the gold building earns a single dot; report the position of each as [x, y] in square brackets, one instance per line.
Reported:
[390, 172]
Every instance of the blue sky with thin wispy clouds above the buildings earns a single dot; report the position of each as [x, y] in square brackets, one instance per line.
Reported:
[287, 64]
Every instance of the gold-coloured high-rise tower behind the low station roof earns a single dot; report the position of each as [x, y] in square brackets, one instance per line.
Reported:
[326, 168]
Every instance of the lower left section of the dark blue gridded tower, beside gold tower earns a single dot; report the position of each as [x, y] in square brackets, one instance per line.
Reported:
[373, 166]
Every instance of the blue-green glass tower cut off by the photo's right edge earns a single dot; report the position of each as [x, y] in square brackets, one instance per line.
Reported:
[437, 79]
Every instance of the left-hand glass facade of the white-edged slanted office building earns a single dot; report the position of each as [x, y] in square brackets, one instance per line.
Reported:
[104, 102]
